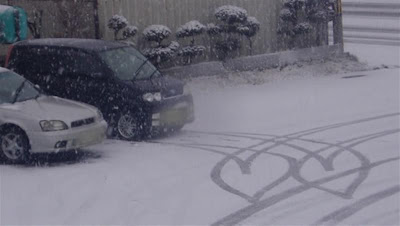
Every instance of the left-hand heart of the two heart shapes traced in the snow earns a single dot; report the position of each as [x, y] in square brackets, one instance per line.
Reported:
[245, 169]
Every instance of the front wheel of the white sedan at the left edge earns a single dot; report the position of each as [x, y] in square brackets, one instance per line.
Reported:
[14, 146]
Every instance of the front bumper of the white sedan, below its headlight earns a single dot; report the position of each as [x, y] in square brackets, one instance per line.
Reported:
[71, 139]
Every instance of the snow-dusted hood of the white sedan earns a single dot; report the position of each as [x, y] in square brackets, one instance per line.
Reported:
[53, 108]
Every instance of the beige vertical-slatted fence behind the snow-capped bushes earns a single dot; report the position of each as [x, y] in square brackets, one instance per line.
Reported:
[174, 13]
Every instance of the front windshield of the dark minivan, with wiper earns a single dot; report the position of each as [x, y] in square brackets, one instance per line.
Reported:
[129, 64]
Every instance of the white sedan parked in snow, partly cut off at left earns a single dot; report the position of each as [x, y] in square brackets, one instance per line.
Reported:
[31, 122]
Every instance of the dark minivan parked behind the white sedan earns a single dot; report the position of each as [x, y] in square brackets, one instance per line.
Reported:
[134, 97]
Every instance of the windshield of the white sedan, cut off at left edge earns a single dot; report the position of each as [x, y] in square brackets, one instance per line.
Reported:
[14, 88]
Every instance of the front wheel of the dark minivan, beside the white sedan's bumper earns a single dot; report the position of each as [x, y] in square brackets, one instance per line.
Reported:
[128, 127]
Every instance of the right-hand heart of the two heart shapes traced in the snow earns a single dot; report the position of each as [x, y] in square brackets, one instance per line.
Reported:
[328, 166]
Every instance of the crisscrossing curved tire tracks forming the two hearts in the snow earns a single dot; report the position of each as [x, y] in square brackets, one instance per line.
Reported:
[295, 166]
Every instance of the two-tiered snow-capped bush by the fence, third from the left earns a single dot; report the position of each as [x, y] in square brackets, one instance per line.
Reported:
[191, 30]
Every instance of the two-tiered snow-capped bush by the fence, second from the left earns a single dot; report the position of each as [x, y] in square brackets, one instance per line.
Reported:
[159, 53]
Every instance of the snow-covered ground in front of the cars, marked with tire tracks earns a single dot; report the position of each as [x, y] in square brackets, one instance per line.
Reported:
[298, 150]
